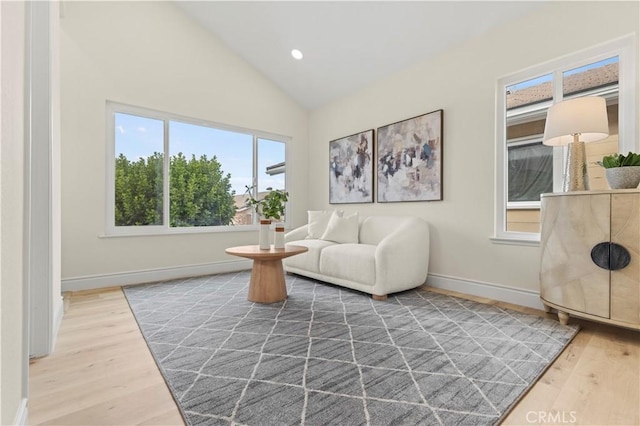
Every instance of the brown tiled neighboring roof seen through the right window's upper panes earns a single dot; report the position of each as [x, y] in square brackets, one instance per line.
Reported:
[575, 83]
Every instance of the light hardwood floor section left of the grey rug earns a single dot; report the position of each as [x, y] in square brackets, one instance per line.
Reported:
[101, 371]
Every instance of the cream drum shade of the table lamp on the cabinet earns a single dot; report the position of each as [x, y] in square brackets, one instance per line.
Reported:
[586, 116]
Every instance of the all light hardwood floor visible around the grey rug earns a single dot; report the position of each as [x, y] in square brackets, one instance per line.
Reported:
[101, 372]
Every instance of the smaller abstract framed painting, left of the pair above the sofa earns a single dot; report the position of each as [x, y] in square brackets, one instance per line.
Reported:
[351, 169]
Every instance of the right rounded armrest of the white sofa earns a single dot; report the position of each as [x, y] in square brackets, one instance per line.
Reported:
[402, 257]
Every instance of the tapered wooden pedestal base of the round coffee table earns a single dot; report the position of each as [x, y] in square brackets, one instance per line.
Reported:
[267, 281]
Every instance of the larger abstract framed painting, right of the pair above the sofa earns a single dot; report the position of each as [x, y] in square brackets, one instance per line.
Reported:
[409, 157]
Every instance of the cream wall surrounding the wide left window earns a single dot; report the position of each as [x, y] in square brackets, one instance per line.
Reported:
[150, 54]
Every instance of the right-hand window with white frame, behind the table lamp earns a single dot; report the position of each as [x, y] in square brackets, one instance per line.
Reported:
[526, 167]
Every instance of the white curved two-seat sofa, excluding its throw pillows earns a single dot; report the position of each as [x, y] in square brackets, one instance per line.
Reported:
[391, 255]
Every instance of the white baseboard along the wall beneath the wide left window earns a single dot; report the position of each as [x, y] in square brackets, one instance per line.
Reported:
[152, 275]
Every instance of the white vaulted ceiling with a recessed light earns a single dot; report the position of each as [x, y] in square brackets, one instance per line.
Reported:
[346, 45]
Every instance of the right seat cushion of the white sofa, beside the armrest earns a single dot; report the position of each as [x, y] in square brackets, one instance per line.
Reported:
[352, 262]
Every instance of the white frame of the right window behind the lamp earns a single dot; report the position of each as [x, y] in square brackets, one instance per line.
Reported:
[625, 49]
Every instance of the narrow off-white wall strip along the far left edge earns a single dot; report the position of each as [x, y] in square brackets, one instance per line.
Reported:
[13, 366]
